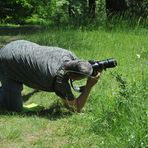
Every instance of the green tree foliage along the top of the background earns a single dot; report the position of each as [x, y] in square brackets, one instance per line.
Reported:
[64, 11]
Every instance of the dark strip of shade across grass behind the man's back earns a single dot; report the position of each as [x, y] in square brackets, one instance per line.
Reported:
[19, 30]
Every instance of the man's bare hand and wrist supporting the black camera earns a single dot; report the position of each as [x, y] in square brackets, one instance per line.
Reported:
[92, 81]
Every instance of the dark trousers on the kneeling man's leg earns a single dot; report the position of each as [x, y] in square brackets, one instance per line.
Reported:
[10, 95]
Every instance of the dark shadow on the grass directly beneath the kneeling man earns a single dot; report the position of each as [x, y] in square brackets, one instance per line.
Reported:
[56, 111]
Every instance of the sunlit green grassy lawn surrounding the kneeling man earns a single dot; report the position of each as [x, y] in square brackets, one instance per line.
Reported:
[115, 114]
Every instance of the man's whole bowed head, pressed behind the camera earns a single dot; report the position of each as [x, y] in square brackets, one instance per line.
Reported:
[78, 69]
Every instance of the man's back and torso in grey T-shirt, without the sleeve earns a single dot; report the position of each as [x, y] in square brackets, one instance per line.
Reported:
[32, 64]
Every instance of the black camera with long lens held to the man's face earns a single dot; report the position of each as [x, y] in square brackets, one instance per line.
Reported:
[102, 65]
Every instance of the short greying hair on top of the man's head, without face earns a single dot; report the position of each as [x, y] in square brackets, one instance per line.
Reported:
[79, 67]
